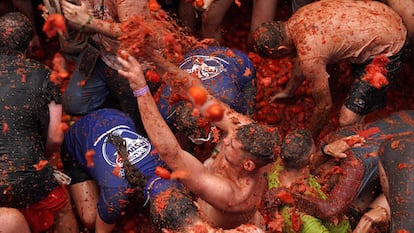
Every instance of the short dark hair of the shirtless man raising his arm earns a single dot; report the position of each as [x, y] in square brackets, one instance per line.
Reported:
[259, 140]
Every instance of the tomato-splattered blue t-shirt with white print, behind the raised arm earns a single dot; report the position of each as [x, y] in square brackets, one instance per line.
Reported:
[228, 74]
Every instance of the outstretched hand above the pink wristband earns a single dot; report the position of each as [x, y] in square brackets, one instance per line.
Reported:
[132, 70]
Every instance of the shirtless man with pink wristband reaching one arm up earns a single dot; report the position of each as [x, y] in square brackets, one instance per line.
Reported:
[229, 190]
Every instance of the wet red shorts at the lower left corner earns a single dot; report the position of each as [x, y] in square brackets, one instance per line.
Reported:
[40, 215]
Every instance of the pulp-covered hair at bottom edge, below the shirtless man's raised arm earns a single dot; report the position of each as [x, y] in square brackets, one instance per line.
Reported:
[173, 209]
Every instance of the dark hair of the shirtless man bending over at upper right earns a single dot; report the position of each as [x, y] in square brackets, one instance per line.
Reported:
[268, 37]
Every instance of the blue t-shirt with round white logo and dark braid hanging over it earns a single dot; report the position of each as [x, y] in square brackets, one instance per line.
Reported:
[91, 133]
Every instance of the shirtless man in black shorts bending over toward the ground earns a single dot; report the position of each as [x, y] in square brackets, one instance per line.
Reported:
[327, 32]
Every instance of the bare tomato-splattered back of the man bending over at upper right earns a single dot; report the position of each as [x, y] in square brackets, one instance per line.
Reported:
[358, 32]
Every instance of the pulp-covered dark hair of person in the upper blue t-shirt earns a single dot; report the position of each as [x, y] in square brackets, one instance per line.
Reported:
[190, 124]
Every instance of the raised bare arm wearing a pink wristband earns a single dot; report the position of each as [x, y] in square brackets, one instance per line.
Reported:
[216, 190]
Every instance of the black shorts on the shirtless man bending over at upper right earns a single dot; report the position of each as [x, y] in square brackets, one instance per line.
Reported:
[364, 98]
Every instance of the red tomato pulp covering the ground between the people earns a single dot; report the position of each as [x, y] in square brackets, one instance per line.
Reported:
[289, 113]
